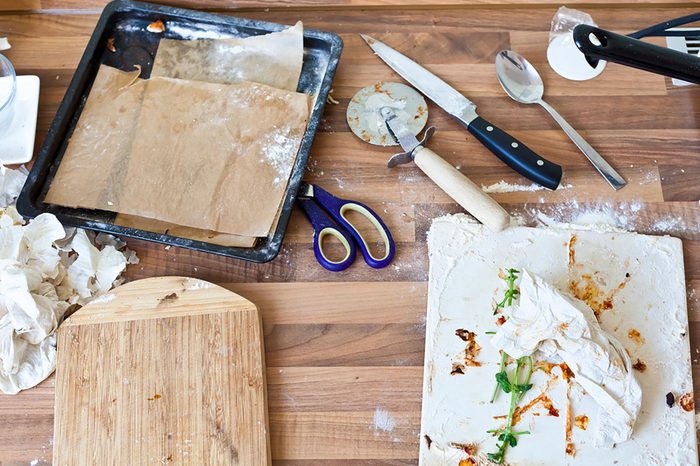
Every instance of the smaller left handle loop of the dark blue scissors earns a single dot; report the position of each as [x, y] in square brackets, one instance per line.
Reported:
[323, 226]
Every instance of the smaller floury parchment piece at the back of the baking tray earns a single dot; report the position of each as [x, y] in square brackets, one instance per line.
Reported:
[274, 59]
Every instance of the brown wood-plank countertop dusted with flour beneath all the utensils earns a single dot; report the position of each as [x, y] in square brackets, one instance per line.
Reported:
[345, 351]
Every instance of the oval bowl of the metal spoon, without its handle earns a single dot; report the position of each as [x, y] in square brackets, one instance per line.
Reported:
[518, 77]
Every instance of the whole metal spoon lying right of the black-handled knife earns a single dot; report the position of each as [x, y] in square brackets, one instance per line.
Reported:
[523, 84]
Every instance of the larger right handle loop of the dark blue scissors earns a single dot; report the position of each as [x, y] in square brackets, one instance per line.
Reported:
[337, 208]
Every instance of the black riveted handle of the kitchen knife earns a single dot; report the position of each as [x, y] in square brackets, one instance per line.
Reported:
[515, 154]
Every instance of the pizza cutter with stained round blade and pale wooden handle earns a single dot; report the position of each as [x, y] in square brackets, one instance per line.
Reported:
[389, 114]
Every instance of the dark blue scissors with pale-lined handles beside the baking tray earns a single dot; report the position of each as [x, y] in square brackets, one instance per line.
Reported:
[327, 216]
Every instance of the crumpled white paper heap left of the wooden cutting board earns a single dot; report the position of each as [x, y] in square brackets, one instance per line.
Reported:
[45, 270]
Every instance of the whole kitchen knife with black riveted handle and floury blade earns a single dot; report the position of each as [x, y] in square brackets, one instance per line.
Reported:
[511, 151]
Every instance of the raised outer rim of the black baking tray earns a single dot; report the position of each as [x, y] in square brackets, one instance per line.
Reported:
[28, 204]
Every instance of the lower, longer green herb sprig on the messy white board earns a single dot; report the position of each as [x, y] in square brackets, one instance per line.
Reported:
[517, 388]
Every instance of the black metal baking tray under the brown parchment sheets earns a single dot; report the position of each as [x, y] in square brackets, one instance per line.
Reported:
[125, 22]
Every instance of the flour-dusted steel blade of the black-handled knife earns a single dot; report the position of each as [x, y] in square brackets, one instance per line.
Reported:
[435, 88]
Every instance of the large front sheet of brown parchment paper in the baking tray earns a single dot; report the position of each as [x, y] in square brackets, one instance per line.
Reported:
[217, 157]
